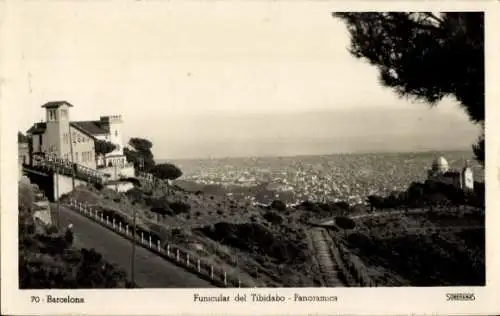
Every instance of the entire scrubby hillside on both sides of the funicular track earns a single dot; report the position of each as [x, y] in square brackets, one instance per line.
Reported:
[271, 245]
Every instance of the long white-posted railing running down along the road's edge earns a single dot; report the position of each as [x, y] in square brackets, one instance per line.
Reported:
[171, 252]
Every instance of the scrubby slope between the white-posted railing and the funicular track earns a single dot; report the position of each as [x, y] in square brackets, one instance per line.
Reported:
[281, 256]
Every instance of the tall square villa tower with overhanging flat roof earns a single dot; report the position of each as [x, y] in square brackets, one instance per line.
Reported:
[57, 128]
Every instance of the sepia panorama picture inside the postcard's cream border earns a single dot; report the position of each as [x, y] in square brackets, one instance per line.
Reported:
[202, 148]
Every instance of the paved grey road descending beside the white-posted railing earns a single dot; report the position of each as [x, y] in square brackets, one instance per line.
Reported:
[151, 271]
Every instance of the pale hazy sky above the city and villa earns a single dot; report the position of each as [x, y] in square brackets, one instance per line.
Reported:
[219, 79]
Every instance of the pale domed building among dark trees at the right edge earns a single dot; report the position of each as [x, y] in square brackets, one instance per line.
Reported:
[440, 171]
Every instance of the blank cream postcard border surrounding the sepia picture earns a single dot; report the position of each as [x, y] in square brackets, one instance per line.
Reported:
[373, 301]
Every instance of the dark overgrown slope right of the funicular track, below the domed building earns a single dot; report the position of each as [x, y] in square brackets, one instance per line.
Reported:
[421, 250]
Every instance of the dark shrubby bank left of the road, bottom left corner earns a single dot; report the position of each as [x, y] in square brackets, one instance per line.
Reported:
[48, 260]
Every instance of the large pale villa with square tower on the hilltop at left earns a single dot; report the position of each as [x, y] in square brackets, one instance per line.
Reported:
[75, 140]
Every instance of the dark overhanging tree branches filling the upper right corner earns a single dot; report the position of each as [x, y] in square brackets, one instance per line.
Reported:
[425, 56]
